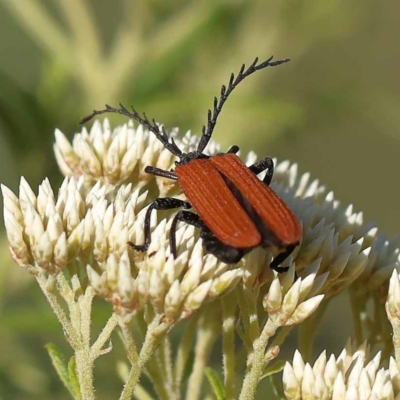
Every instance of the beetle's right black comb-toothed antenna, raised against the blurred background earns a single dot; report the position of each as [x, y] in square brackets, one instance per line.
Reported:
[212, 116]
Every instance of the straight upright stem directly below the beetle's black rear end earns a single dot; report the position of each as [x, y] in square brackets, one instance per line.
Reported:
[229, 305]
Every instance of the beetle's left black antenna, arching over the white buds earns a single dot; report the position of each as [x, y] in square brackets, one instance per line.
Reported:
[151, 126]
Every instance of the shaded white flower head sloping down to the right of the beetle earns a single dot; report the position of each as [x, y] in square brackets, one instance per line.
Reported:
[351, 251]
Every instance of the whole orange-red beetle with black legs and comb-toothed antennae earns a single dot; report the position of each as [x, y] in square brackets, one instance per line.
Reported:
[234, 210]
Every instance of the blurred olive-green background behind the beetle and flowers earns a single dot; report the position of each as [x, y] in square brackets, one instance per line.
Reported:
[334, 109]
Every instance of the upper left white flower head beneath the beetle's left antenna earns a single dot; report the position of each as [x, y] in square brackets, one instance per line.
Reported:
[119, 156]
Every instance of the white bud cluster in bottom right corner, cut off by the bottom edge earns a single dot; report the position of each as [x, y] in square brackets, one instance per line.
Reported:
[349, 376]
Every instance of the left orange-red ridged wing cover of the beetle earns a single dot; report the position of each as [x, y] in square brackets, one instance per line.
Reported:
[216, 205]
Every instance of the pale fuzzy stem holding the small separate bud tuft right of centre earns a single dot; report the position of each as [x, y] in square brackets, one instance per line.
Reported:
[256, 362]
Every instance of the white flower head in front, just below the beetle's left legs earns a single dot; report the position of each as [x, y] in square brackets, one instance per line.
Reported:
[173, 287]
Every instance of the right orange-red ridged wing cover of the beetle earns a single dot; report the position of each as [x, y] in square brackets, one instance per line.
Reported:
[269, 206]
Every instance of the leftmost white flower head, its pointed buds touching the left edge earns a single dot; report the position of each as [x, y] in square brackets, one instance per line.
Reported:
[48, 232]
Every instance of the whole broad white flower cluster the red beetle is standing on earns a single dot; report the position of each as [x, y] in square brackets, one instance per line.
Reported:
[100, 207]
